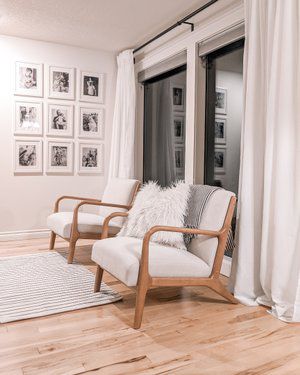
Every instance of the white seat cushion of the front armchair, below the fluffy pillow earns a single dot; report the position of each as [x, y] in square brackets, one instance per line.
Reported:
[120, 256]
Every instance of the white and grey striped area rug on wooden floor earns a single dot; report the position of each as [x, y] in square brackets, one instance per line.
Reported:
[44, 284]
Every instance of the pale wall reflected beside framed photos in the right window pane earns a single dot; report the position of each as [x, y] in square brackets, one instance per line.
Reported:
[233, 83]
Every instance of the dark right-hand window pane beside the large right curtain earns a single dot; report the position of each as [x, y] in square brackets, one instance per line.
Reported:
[224, 110]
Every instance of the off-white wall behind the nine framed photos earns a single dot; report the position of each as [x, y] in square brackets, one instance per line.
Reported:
[25, 201]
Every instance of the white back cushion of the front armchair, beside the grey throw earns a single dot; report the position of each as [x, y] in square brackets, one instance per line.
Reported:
[212, 219]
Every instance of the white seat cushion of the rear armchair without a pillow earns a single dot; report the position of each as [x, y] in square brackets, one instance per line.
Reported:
[61, 223]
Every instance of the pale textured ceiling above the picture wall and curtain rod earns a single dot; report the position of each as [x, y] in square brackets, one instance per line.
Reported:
[111, 25]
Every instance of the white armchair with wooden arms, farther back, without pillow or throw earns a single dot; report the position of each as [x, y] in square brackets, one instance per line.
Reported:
[118, 196]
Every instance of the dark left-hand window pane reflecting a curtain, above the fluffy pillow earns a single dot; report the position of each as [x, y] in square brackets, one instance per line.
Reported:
[164, 127]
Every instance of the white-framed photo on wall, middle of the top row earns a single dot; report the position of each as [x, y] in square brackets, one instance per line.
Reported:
[61, 83]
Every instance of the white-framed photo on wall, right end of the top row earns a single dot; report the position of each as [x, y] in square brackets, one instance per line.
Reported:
[92, 87]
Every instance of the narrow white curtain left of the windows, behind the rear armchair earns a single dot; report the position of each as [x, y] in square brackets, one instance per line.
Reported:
[123, 127]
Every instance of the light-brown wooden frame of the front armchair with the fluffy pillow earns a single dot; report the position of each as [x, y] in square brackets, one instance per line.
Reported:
[145, 281]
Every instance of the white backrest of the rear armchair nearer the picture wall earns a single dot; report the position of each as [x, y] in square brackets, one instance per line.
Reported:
[118, 191]
